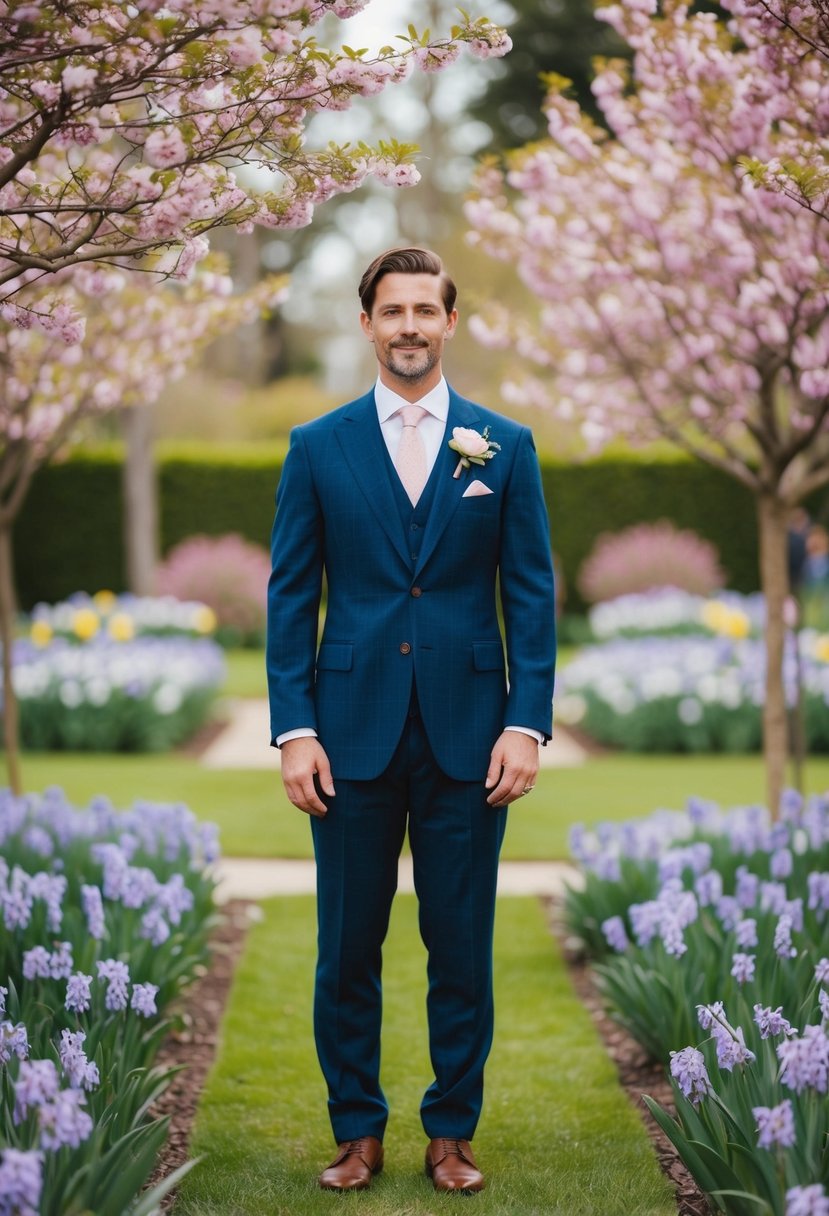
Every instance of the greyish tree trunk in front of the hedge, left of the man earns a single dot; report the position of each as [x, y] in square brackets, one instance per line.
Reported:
[140, 502]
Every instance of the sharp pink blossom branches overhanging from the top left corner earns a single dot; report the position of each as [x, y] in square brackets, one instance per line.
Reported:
[123, 127]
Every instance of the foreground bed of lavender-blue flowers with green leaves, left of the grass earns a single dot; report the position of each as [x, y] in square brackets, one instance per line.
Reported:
[105, 920]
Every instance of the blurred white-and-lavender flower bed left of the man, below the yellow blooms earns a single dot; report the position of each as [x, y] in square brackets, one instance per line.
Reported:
[145, 695]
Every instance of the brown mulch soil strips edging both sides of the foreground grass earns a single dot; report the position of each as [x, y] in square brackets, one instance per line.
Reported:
[195, 1046]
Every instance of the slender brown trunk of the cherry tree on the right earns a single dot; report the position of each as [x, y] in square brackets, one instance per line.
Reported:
[775, 582]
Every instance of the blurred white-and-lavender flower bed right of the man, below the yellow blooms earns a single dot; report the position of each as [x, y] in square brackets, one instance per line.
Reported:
[690, 694]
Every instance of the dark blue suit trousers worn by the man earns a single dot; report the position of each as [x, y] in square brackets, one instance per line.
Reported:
[455, 838]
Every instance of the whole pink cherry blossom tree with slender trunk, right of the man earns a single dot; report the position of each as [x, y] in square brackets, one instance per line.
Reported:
[678, 297]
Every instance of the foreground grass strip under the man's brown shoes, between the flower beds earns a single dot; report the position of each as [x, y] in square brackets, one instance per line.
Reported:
[559, 1136]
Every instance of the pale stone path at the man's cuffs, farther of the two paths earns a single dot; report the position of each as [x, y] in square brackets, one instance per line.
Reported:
[244, 742]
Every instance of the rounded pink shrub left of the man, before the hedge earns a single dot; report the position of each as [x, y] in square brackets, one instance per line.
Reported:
[227, 573]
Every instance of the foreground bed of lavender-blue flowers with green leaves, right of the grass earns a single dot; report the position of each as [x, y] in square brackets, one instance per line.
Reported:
[713, 933]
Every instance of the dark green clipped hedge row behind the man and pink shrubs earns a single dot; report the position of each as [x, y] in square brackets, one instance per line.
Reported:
[70, 534]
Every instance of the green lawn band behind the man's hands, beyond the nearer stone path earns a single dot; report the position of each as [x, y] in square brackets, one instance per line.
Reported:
[258, 821]
